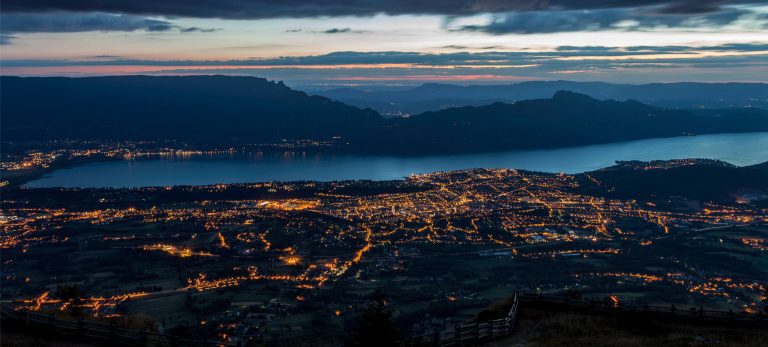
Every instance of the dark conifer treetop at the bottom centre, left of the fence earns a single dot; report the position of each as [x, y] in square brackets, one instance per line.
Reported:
[375, 327]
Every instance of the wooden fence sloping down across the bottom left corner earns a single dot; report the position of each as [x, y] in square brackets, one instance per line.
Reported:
[98, 330]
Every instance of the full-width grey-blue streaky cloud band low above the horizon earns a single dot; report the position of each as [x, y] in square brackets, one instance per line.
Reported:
[594, 63]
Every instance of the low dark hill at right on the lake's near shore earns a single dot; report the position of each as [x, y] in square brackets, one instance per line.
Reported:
[691, 178]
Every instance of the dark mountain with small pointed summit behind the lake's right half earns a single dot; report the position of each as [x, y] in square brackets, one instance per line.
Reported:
[567, 119]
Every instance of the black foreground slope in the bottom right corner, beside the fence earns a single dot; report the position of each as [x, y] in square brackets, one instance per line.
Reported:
[555, 327]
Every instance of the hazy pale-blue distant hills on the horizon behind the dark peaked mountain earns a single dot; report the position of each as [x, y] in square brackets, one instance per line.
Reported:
[434, 97]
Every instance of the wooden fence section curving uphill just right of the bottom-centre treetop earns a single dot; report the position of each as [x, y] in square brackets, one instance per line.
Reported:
[471, 333]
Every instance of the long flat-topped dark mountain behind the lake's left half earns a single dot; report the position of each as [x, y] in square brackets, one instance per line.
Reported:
[214, 109]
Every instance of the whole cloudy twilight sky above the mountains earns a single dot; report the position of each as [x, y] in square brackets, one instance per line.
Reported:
[360, 42]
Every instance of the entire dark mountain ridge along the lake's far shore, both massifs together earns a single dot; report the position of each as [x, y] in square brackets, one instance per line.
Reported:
[230, 111]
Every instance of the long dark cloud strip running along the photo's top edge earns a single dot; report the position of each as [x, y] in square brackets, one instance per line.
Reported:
[256, 9]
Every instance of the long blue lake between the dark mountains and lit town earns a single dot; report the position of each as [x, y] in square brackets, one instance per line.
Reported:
[737, 149]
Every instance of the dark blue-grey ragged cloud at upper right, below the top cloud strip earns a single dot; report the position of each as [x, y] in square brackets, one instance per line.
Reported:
[605, 19]
